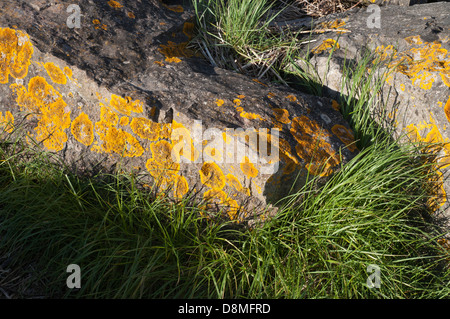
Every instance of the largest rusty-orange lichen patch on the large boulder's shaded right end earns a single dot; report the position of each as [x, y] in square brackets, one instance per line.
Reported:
[312, 146]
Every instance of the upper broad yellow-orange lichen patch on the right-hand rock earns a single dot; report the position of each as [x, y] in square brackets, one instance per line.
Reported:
[420, 63]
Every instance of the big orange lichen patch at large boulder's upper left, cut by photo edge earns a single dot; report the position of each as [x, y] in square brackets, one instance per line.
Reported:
[15, 54]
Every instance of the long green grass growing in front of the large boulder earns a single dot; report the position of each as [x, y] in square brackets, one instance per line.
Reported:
[130, 244]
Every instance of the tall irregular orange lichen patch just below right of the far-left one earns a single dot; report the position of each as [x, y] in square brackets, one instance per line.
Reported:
[44, 102]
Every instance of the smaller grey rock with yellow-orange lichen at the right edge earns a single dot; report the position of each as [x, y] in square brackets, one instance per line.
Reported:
[413, 44]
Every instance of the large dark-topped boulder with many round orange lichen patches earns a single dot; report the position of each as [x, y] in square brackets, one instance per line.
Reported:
[125, 92]
